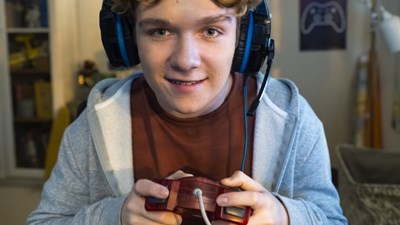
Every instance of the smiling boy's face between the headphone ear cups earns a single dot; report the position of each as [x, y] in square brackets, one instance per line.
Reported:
[186, 49]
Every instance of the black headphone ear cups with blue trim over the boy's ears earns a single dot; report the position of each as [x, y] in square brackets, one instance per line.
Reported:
[254, 41]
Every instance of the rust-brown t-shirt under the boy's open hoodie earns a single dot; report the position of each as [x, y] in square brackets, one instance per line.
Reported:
[210, 146]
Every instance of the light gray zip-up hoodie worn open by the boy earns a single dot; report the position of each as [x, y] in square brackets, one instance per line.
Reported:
[94, 171]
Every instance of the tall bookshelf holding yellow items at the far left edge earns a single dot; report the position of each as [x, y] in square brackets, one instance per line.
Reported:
[27, 57]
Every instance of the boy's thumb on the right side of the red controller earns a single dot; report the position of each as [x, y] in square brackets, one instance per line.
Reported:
[241, 180]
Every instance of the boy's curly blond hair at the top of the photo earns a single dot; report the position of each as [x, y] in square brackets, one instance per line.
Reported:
[241, 6]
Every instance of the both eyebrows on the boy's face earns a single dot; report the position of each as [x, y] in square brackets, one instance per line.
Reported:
[206, 20]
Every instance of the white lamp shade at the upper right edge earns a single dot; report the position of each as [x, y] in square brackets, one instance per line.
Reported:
[390, 27]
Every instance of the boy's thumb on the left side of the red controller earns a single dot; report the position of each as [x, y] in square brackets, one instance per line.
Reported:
[146, 187]
